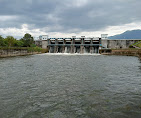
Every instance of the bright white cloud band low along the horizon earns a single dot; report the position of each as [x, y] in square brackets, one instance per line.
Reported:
[111, 30]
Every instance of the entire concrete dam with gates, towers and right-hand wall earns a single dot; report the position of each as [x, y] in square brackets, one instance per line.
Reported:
[82, 44]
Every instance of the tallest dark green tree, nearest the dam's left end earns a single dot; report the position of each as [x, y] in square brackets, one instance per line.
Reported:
[27, 40]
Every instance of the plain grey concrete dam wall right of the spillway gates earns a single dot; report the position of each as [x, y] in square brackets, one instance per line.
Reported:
[118, 43]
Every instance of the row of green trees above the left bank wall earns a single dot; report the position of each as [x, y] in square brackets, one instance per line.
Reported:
[10, 41]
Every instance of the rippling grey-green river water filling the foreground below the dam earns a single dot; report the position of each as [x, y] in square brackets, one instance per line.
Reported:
[70, 86]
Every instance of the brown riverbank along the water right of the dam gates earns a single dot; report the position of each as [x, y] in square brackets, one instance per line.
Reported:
[124, 52]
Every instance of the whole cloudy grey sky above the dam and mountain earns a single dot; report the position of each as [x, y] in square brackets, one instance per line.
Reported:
[66, 18]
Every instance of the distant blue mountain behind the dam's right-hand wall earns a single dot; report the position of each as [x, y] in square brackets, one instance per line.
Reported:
[133, 34]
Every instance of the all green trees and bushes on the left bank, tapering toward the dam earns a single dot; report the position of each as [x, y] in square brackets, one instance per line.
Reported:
[27, 42]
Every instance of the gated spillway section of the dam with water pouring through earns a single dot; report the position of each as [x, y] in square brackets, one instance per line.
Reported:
[72, 45]
